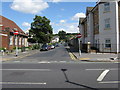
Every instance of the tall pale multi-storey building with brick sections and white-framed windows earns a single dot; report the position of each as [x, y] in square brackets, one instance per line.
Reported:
[103, 26]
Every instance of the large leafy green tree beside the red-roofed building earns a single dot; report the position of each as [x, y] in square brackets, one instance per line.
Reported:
[41, 30]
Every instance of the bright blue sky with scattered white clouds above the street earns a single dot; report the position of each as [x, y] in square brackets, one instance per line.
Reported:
[63, 15]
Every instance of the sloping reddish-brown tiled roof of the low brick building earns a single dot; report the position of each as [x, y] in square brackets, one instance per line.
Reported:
[9, 23]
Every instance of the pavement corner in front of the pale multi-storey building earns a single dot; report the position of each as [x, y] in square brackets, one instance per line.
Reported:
[94, 57]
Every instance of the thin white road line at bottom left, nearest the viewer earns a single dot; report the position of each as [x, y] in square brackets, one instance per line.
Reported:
[31, 83]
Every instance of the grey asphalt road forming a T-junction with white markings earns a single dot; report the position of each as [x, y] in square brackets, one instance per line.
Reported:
[56, 69]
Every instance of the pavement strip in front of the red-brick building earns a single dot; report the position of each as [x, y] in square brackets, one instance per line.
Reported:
[12, 56]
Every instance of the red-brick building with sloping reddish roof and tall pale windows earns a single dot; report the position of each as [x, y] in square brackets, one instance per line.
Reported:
[7, 38]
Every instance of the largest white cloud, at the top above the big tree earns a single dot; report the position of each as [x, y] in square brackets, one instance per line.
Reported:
[29, 6]
